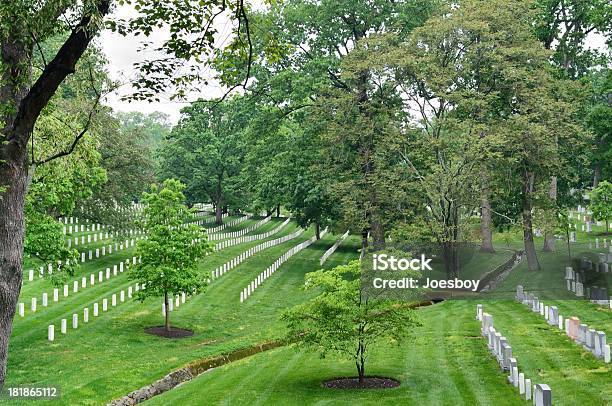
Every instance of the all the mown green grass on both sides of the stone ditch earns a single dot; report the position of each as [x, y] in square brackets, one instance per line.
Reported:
[447, 361]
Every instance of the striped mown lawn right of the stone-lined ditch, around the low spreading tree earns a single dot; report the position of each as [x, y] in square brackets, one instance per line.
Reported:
[446, 363]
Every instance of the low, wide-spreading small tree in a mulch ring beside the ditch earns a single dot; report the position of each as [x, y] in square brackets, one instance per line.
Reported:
[342, 319]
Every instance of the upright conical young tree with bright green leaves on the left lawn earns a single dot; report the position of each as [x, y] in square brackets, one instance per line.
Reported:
[173, 247]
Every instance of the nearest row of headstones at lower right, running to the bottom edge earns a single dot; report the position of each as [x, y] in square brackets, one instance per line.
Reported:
[502, 351]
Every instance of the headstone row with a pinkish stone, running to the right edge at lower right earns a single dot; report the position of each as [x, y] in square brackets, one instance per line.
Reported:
[591, 340]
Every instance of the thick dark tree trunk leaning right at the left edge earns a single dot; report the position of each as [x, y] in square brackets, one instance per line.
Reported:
[21, 107]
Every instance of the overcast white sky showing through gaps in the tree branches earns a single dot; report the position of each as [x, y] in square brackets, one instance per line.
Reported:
[122, 54]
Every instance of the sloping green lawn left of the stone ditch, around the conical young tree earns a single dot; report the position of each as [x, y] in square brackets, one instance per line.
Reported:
[111, 355]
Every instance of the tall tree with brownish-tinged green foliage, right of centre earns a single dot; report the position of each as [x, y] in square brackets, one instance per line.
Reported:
[462, 73]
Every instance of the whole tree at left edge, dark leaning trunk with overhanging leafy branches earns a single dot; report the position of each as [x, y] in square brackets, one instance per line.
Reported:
[24, 93]
